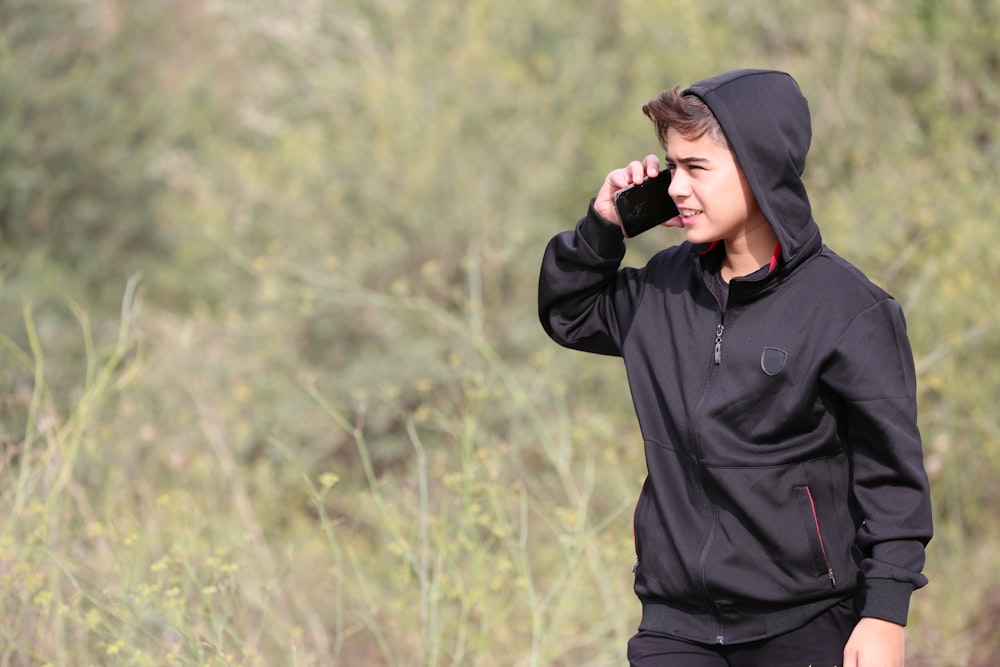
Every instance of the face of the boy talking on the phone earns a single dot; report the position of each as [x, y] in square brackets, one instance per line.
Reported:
[709, 188]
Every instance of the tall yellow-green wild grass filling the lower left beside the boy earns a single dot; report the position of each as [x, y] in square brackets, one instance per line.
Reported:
[501, 540]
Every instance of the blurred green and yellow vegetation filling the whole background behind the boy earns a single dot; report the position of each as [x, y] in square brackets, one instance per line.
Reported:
[273, 388]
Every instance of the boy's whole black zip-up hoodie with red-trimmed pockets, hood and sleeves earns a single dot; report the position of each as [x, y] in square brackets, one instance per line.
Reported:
[785, 470]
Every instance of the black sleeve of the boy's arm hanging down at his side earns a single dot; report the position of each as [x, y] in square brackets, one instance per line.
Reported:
[872, 370]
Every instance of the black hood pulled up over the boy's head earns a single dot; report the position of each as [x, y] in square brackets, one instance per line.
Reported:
[766, 120]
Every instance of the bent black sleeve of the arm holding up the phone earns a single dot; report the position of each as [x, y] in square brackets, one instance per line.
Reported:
[579, 288]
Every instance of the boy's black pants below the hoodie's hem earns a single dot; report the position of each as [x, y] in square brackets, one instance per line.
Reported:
[818, 644]
